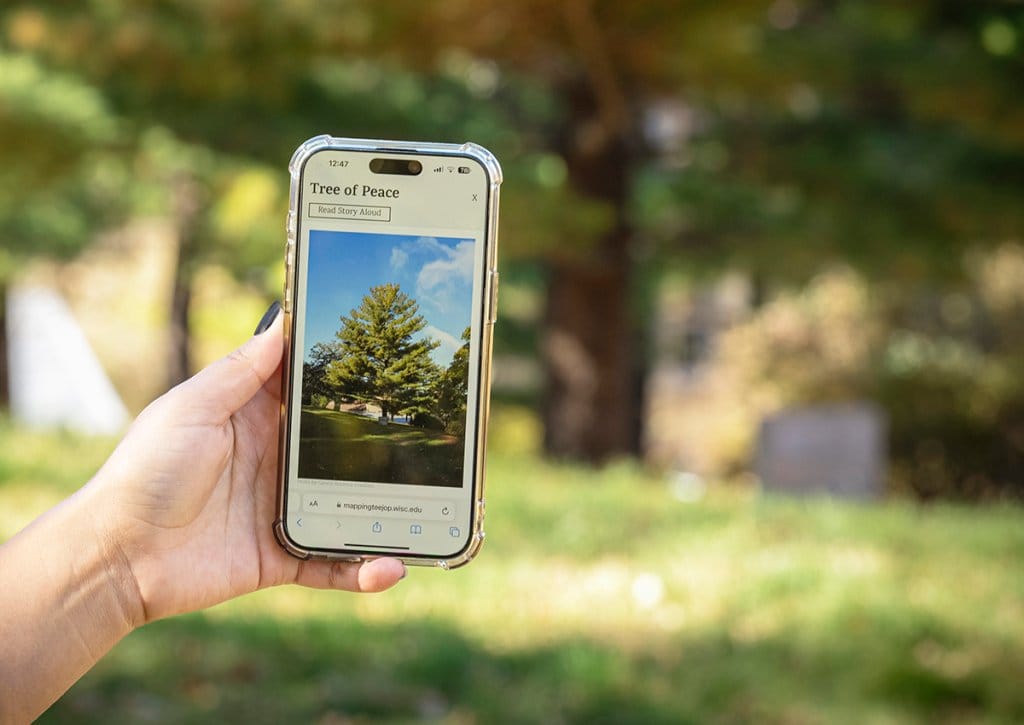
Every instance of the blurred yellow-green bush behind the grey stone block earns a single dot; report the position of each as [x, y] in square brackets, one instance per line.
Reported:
[947, 366]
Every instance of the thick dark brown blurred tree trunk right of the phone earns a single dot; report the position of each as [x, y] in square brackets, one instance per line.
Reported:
[592, 406]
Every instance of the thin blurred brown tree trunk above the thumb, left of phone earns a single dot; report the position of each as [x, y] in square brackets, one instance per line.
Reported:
[188, 209]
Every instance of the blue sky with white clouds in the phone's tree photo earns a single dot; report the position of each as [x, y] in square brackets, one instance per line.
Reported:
[437, 272]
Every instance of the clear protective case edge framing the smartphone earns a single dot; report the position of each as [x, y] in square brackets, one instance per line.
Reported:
[490, 163]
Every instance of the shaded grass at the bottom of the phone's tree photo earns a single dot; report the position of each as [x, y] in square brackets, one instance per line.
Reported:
[335, 445]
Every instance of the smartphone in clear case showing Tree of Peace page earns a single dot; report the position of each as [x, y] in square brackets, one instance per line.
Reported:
[391, 302]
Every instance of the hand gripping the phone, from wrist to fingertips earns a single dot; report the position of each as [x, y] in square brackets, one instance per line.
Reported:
[188, 499]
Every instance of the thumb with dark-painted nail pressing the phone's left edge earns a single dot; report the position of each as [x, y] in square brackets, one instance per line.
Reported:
[227, 386]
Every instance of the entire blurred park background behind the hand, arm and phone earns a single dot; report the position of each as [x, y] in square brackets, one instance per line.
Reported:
[757, 449]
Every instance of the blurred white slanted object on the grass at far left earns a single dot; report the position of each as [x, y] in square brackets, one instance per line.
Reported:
[56, 379]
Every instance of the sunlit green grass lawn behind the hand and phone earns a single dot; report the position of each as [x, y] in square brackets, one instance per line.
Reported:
[599, 599]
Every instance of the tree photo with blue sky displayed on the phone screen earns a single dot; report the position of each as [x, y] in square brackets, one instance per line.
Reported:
[386, 369]
